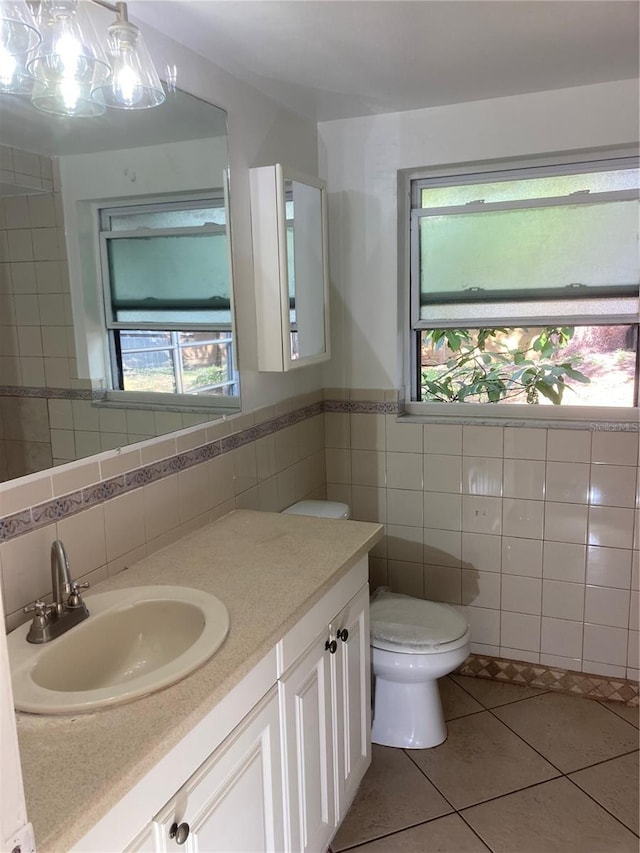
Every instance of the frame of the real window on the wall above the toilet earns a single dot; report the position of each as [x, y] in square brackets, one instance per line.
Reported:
[598, 310]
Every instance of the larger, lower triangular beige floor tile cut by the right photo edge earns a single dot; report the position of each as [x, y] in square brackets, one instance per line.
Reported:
[614, 784]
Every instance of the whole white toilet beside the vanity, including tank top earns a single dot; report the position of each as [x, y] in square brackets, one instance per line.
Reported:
[413, 643]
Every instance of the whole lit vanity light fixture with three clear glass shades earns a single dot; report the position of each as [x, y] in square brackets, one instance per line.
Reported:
[56, 56]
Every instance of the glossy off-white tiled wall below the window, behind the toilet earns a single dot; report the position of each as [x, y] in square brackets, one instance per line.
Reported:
[531, 530]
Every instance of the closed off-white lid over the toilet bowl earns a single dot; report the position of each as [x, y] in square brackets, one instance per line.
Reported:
[412, 622]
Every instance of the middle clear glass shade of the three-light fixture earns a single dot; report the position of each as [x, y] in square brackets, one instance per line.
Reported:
[70, 51]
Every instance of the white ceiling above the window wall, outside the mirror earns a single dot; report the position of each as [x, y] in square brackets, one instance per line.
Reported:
[333, 59]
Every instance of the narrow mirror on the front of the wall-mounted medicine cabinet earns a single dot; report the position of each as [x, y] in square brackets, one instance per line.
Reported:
[305, 268]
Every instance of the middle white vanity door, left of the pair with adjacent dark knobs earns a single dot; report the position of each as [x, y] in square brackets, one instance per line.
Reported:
[306, 708]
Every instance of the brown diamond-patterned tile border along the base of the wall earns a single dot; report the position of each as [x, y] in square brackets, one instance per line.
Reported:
[551, 678]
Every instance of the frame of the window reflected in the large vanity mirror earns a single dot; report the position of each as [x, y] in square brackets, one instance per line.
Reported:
[222, 403]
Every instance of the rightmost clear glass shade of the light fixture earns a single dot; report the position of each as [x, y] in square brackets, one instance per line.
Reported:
[134, 84]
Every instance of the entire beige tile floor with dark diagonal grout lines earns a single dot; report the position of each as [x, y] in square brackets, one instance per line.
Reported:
[522, 771]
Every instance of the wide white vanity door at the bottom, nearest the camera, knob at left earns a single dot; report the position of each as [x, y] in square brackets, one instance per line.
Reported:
[233, 804]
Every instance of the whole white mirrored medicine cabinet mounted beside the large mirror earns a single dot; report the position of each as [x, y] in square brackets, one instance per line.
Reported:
[290, 257]
